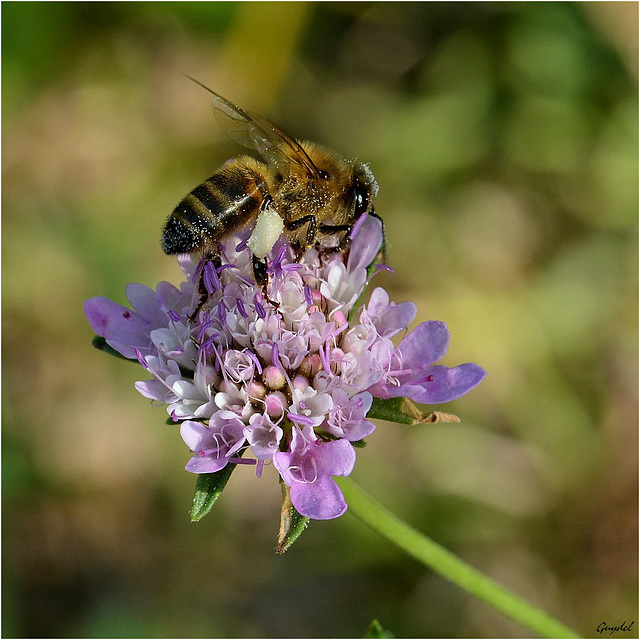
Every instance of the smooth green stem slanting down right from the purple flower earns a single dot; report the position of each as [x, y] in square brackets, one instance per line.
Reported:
[449, 565]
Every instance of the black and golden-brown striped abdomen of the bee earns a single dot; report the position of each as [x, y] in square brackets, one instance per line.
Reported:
[227, 200]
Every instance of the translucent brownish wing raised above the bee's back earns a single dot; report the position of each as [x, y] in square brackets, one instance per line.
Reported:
[257, 133]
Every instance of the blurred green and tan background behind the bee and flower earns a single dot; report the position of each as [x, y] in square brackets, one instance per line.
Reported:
[504, 138]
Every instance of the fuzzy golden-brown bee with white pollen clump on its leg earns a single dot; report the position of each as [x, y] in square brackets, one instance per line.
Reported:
[301, 189]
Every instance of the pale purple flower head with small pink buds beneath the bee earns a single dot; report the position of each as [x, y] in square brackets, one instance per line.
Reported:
[290, 383]
